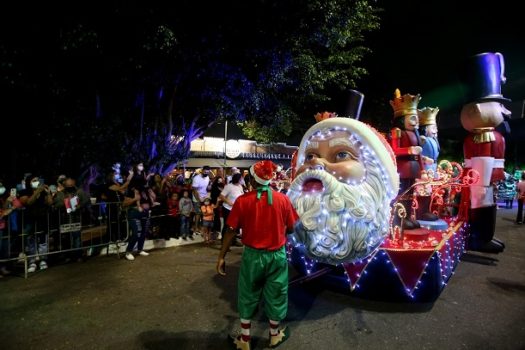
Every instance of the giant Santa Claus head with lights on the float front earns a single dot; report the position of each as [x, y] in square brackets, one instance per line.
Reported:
[345, 180]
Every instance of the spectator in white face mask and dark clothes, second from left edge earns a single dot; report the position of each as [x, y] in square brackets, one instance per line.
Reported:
[36, 199]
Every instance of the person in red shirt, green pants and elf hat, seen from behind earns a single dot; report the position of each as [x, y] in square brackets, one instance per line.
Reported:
[264, 216]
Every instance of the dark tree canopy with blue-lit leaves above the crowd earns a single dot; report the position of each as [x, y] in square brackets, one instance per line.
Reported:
[124, 82]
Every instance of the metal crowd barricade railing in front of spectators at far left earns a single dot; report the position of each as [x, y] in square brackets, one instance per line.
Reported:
[55, 235]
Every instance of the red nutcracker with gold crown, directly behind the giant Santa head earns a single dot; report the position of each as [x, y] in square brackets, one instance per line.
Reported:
[406, 143]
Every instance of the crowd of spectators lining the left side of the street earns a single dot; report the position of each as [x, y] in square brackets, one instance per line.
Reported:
[43, 220]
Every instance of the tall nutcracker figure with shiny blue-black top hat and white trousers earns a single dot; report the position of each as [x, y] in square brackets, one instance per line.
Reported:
[484, 147]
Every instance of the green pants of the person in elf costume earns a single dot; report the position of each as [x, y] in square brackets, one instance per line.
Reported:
[263, 272]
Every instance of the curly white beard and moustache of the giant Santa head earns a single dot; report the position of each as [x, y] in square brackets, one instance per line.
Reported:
[344, 223]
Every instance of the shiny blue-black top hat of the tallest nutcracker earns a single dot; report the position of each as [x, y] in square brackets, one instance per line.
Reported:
[482, 77]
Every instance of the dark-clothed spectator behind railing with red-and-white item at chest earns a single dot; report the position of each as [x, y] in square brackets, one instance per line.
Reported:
[69, 204]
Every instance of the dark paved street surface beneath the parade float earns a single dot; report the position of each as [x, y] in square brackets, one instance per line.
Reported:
[173, 299]
